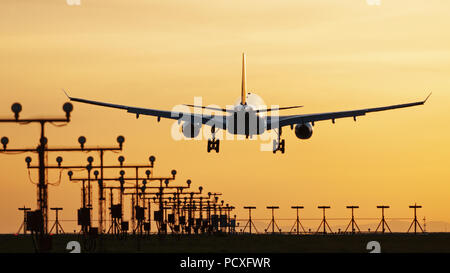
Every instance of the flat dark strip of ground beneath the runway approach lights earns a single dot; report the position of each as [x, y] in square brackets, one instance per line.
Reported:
[390, 243]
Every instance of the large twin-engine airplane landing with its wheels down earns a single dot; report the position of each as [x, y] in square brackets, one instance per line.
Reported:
[247, 117]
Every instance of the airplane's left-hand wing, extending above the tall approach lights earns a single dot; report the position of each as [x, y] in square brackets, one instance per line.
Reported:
[209, 120]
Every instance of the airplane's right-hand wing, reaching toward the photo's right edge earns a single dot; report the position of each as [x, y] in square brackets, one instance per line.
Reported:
[296, 119]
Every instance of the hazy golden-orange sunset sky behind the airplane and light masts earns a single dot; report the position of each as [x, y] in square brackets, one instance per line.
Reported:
[328, 55]
